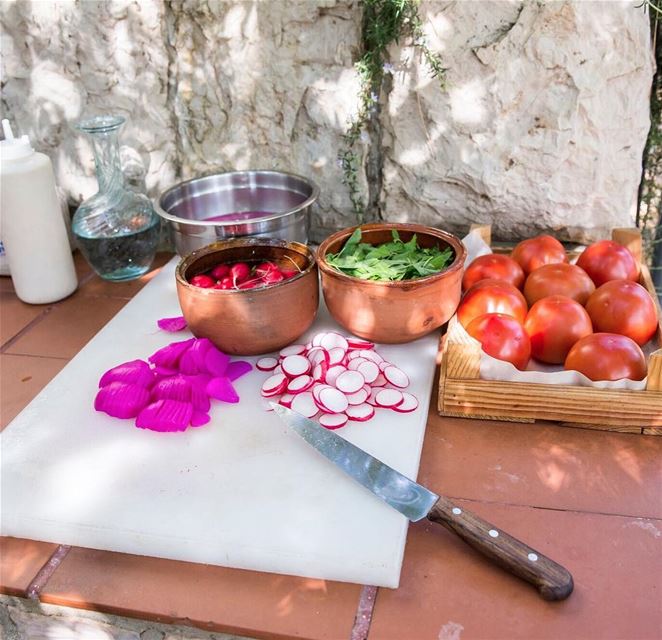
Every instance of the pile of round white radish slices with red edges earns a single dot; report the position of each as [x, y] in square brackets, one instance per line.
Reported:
[335, 379]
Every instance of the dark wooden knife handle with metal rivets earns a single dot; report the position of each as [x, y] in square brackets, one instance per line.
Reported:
[553, 581]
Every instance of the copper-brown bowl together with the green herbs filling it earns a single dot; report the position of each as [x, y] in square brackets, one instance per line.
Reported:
[425, 266]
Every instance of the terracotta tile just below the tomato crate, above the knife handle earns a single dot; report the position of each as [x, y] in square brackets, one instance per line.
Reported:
[543, 465]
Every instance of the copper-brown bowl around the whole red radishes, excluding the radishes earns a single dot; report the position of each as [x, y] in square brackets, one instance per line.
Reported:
[250, 321]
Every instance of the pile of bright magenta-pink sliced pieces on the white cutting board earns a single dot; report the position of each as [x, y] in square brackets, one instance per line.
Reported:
[173, 390]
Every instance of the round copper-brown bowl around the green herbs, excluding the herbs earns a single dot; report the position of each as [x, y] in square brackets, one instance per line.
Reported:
[392, 312]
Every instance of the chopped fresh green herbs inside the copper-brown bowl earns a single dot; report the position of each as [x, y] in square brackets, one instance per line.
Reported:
[393, 261]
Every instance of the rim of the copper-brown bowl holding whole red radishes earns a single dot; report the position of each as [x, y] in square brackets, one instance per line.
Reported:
[230, 243]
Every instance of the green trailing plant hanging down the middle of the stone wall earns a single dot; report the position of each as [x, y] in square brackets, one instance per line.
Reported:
[384, 23]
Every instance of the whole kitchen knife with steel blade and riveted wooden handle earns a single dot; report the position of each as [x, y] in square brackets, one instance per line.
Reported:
[416, 502]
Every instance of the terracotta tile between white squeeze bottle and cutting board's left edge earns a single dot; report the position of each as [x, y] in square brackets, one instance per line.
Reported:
[67, 327]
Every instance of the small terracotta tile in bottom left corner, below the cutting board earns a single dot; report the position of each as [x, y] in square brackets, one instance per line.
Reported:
[20, 560]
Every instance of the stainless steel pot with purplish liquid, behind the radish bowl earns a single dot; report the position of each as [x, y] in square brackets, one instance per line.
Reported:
[272, 204]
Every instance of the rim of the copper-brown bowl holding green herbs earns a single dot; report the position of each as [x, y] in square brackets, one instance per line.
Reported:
[456, 244]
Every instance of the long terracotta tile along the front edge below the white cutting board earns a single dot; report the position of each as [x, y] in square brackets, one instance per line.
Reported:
[213, 598]
